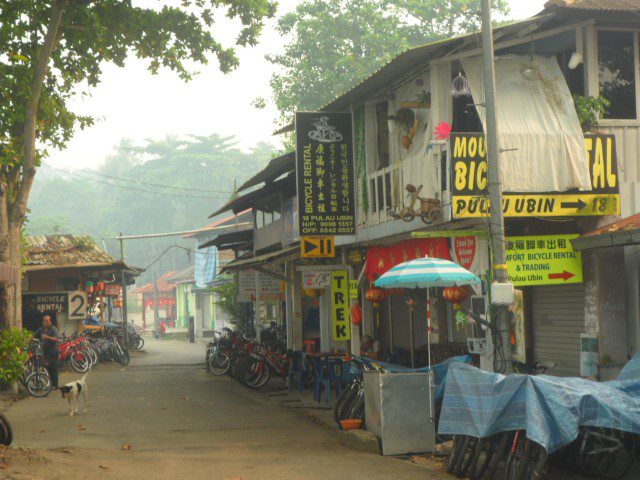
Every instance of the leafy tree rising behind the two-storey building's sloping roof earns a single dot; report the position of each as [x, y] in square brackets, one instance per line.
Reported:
[334, 44]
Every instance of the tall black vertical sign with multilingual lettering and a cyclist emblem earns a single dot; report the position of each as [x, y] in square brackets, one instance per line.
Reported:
[324, 165]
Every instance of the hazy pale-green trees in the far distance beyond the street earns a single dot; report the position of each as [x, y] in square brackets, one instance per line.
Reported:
[91, 203]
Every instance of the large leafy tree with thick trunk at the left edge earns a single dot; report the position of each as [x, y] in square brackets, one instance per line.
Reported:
[52, 50]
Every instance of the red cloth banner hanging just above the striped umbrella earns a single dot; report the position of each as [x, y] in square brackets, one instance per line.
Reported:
[381, 259]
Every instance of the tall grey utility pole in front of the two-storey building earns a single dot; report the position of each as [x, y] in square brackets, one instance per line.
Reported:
[496, 219]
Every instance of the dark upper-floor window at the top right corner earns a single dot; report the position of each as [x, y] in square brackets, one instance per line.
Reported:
[616, 72]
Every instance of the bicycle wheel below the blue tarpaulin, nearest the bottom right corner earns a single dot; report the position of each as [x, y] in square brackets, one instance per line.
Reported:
[619, 448]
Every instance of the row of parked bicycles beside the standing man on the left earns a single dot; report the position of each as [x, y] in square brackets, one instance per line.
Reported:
[80, 352]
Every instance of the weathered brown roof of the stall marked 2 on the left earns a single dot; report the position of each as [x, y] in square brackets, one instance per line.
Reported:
[64, 250]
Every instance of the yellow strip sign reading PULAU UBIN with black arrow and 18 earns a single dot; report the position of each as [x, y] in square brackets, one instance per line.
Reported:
[543, 205]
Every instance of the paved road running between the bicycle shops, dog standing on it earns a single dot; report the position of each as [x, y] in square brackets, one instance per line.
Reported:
[181, 423]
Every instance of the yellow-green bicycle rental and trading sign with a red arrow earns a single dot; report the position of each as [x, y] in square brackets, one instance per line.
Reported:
[543, 260]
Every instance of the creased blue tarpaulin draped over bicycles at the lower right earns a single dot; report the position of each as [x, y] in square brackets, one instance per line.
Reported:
[550, 409]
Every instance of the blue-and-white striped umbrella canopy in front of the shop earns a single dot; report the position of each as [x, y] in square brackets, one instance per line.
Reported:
[426, 272]
